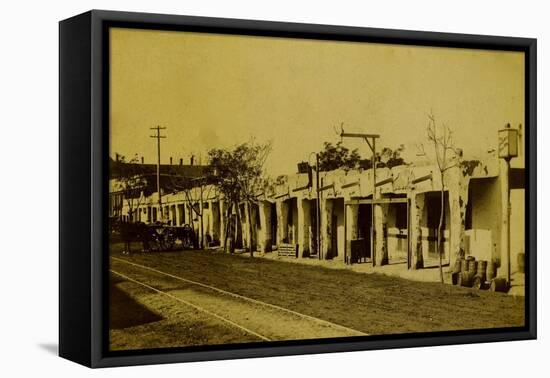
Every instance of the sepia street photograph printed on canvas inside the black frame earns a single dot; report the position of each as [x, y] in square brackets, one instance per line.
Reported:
[266, 189]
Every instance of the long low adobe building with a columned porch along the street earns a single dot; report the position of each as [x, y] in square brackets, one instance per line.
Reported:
[388, 219]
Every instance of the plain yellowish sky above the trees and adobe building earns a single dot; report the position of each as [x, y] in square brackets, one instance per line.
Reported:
[212, 90]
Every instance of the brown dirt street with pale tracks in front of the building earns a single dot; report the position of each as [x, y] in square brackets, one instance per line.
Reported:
[204, 297]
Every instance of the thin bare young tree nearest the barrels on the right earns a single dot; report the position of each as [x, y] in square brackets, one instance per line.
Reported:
[441, 139]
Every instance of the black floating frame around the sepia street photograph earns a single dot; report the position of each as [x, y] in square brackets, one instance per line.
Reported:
[83, 153]
